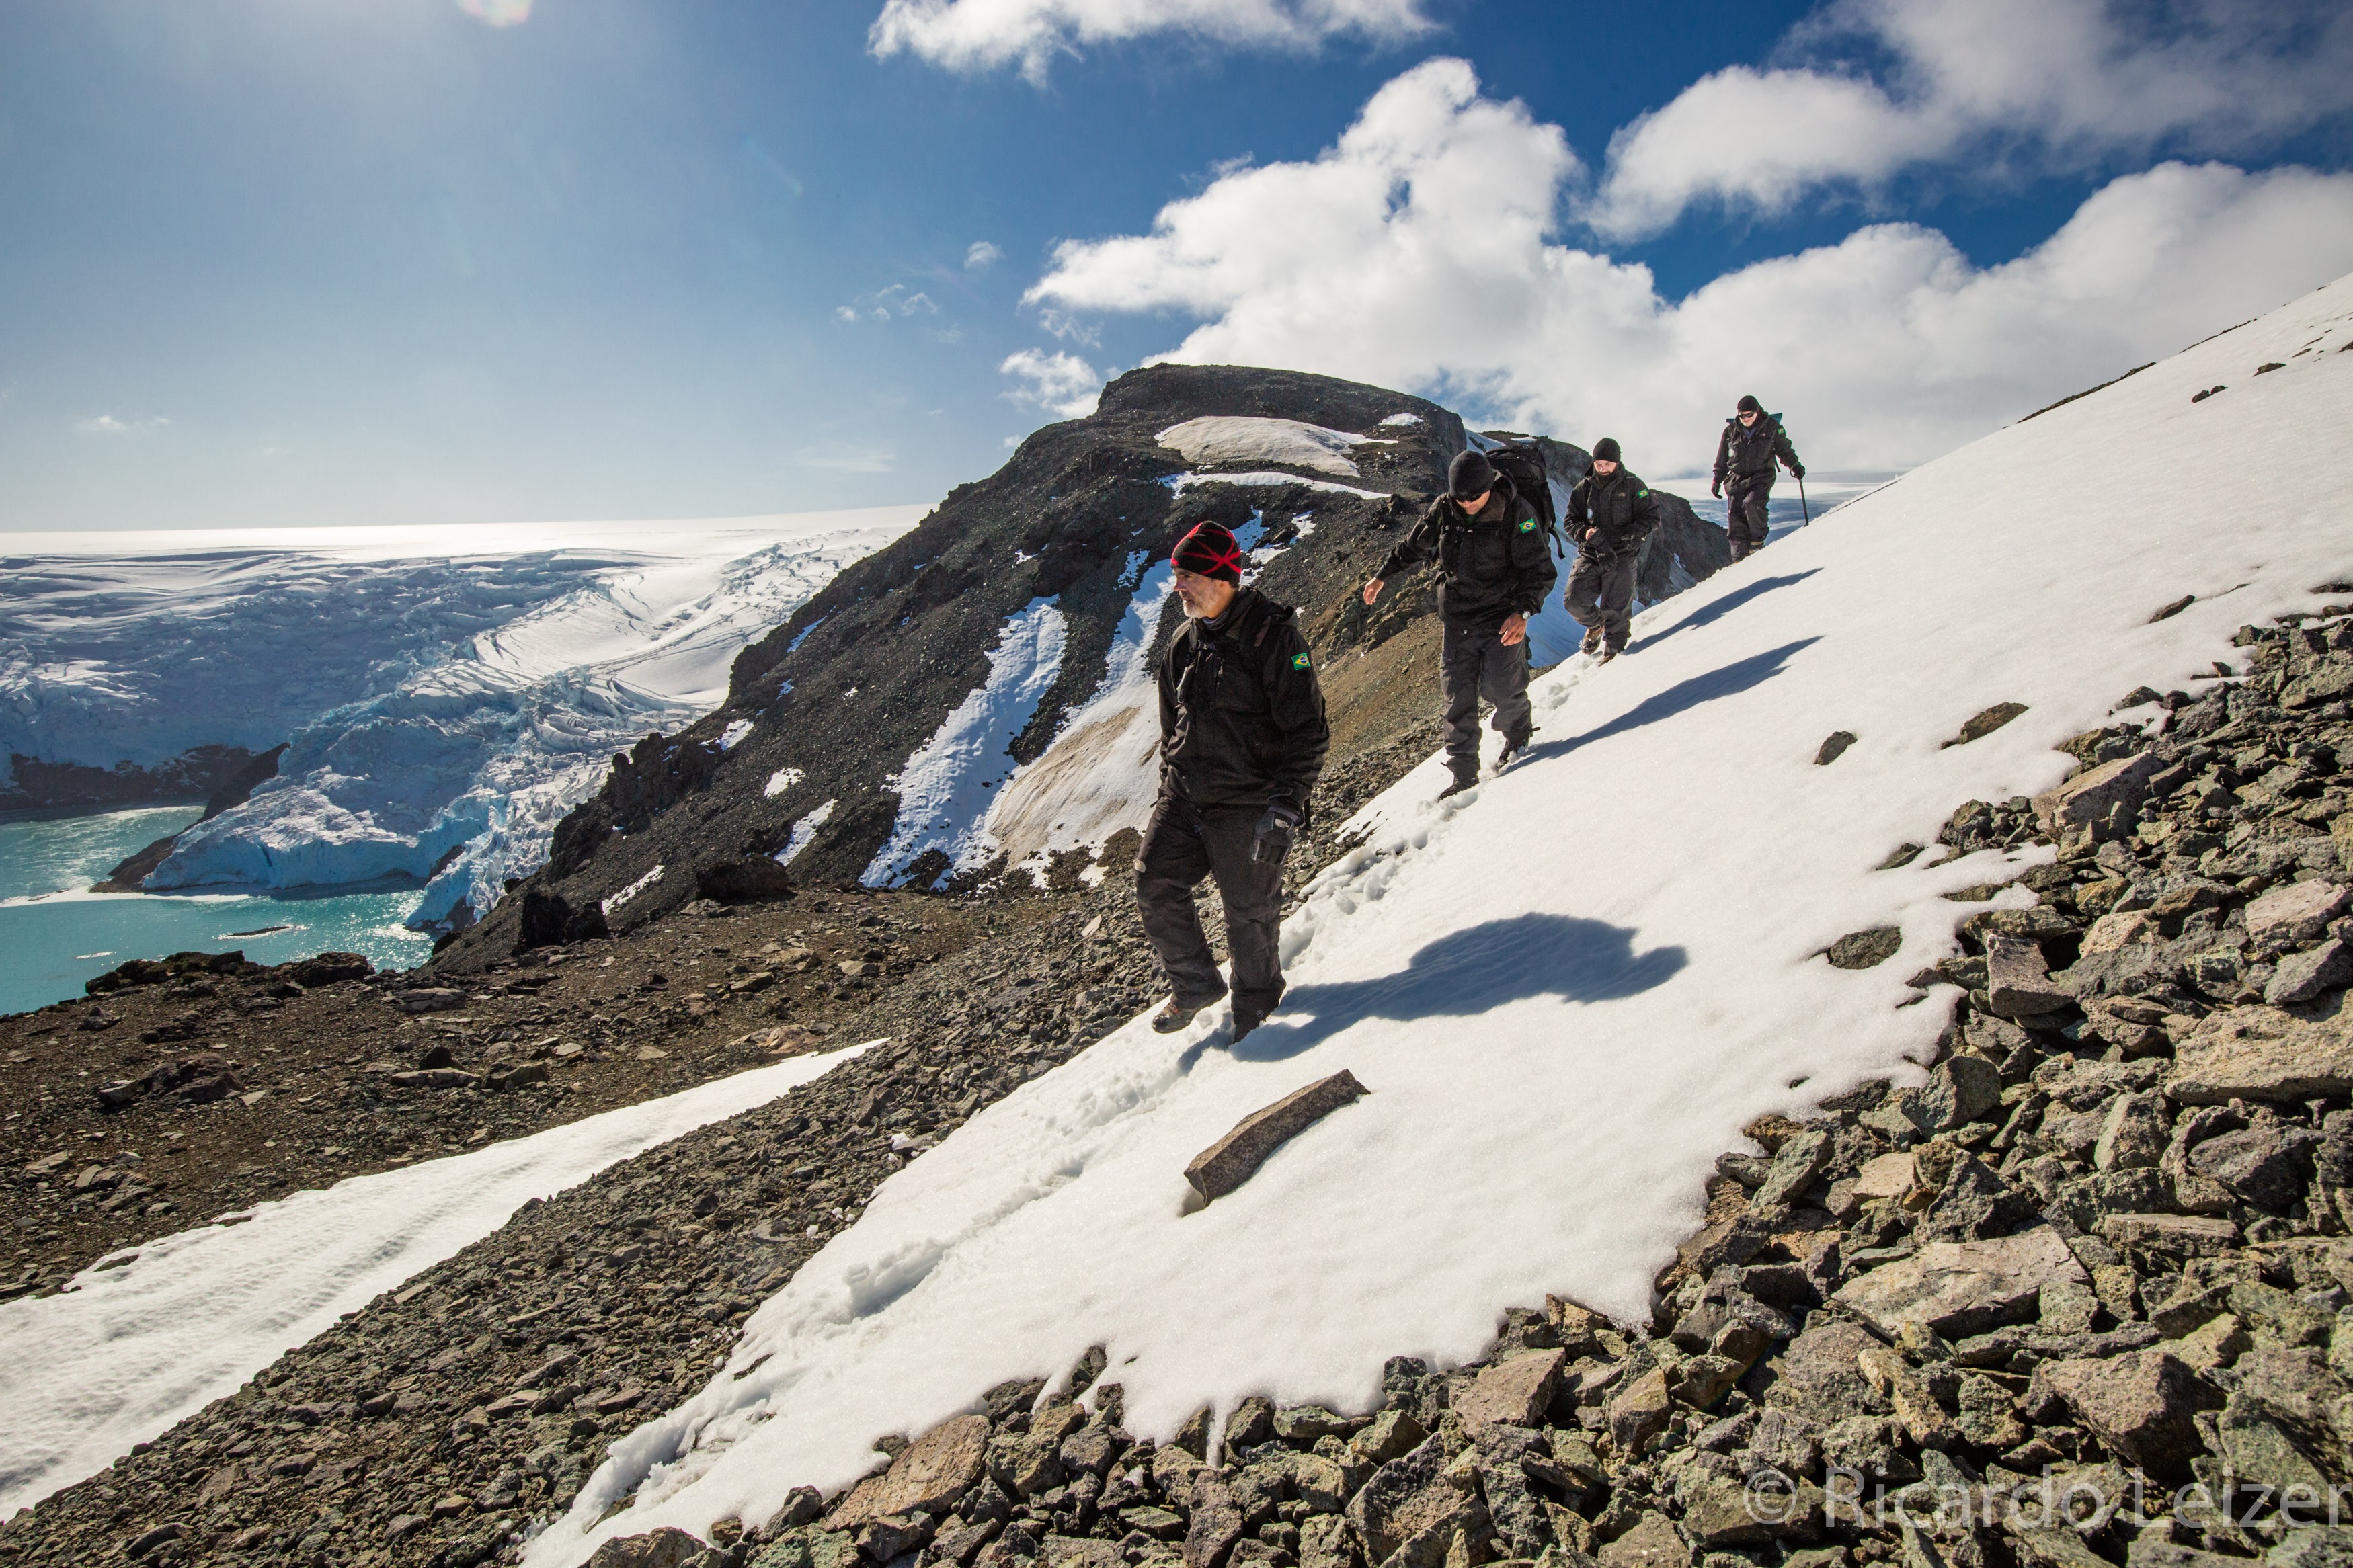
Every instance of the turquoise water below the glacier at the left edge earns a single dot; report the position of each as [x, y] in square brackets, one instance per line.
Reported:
[53, 934]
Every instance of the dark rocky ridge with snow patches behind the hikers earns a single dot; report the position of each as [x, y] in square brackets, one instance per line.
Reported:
[834, 702]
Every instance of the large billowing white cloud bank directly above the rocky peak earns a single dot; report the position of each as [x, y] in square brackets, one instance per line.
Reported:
[1418, 255]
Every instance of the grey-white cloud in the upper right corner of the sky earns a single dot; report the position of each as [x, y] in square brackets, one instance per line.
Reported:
[2055, 83]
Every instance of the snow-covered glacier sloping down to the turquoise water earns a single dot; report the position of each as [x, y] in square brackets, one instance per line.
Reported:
[446, 692]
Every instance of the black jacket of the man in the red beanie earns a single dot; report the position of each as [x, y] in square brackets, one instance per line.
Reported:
[1241, 711]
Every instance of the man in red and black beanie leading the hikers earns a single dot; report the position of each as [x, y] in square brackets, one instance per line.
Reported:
[1241, 744]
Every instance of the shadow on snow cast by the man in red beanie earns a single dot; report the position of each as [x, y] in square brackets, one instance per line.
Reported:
[1472, 972]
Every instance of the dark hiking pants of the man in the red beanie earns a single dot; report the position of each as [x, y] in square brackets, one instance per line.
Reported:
[1182, 845]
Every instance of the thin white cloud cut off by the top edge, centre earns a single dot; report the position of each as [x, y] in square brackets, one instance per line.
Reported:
[989, 34]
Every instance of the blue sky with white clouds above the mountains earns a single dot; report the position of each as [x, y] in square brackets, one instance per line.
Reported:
[295, 262]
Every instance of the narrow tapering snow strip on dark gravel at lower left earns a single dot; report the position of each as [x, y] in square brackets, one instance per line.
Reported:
[135, 1348]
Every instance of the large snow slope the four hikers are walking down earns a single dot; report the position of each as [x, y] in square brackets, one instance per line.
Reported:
[1561, 1017]
